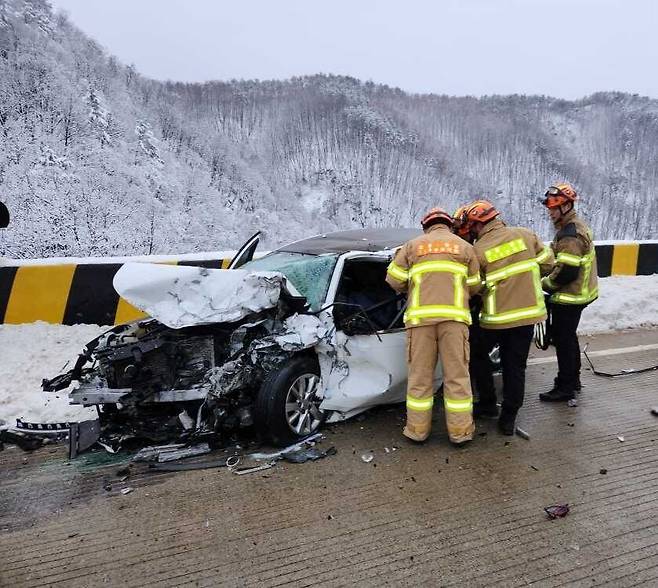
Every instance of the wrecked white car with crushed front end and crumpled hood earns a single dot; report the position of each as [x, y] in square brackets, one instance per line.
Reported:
[309, 333]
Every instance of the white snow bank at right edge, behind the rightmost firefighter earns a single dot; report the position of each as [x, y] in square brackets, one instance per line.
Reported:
[625, 302]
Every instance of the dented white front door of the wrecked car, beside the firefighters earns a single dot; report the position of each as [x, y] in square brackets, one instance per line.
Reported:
[374, 364]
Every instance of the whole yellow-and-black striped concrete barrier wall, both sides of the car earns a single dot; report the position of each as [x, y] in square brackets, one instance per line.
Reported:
[82, 292]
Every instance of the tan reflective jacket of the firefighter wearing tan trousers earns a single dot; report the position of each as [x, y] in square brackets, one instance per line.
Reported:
[440, 271]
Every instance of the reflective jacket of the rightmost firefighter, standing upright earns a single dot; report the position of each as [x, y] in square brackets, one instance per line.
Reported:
[574, 279]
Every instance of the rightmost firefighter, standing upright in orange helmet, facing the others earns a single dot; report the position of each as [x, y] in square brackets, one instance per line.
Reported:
[572, 286]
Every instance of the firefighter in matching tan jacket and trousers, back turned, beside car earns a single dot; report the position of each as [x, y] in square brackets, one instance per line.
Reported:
[440, 271]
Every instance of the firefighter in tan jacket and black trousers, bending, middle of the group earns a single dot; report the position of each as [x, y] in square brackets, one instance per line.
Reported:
[512, 261]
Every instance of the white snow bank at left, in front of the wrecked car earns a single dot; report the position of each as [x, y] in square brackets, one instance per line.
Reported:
[29, 353]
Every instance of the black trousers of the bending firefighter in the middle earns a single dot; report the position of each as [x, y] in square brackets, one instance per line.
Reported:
[514, 348]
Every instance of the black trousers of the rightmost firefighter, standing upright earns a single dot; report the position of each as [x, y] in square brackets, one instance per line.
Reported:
[565, 319]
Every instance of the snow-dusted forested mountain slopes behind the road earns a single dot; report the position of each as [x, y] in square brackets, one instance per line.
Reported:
[96, 159]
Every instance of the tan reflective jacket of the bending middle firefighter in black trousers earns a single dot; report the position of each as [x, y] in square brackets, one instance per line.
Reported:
[512, 261]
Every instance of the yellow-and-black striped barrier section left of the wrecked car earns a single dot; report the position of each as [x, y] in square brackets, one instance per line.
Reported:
[70, 294]
